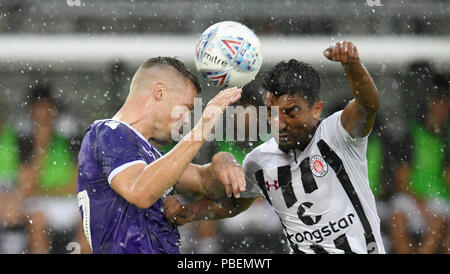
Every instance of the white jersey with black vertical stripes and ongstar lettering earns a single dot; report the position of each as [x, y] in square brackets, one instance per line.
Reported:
[321, 194]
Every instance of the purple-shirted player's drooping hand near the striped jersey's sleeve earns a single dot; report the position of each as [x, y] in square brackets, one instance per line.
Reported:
[229, 172]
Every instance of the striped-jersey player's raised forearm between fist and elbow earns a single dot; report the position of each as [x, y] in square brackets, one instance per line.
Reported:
[363, 87]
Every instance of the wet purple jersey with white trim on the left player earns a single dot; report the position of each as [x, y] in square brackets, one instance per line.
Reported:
[111, 224]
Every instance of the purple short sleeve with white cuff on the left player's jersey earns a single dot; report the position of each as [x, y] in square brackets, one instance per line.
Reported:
[117, 148]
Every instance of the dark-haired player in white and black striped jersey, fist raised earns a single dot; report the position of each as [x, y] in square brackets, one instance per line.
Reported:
[314, 172]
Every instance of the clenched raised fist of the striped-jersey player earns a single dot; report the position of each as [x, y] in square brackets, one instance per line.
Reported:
[343, 51]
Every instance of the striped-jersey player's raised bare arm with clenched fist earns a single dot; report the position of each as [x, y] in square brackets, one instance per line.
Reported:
[358, 116]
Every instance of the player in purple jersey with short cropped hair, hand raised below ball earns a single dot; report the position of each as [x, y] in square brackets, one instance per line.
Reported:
[122, 177]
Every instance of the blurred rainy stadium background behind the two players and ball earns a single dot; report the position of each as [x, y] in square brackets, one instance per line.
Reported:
[84, 53]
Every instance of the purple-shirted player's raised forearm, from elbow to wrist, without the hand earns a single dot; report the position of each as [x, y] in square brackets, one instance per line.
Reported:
[162, 174]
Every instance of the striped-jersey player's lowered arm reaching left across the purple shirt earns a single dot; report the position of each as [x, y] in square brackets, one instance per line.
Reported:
[204, 209]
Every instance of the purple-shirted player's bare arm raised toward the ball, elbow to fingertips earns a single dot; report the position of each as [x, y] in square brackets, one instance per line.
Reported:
[142, 185]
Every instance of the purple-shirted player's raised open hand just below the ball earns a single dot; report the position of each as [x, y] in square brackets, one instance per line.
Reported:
[216, 106]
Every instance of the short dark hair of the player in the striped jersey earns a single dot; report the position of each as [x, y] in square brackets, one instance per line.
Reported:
[293, 77]
